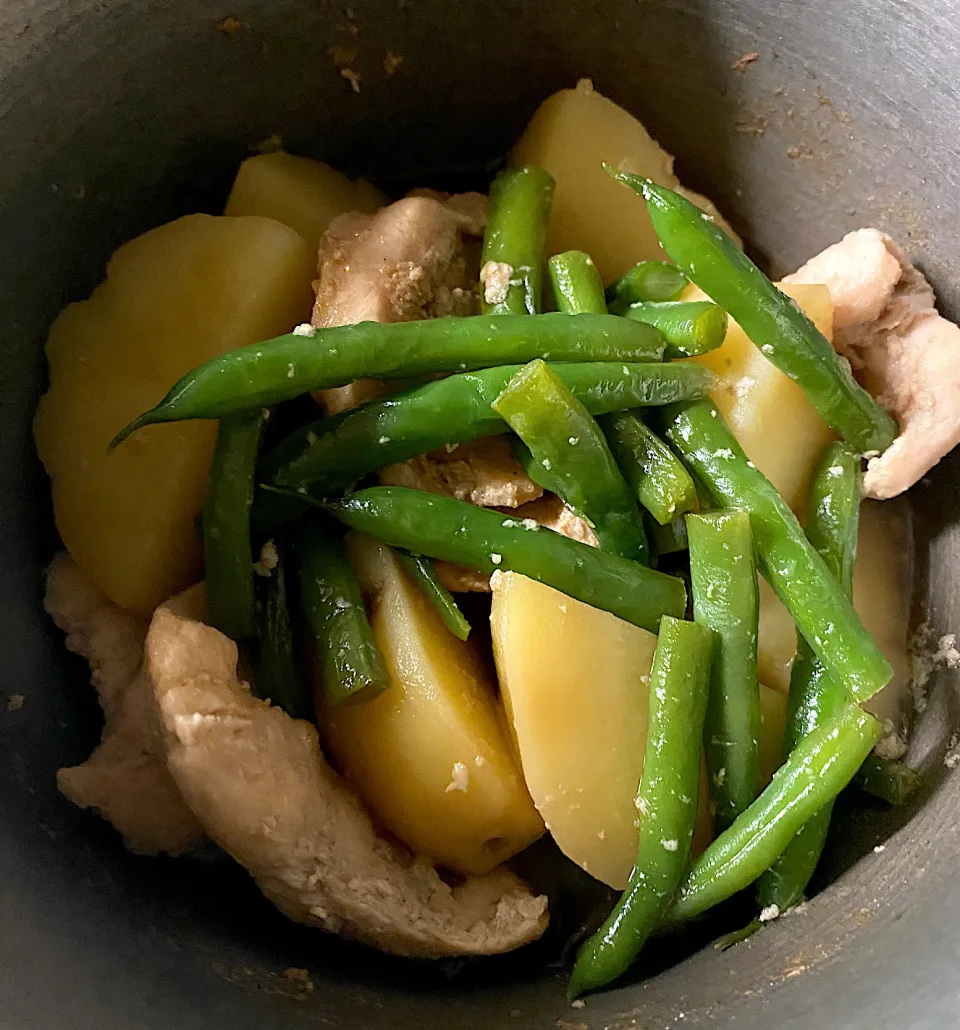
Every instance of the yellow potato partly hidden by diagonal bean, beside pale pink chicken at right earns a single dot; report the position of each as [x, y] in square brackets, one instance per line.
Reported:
[768, 411]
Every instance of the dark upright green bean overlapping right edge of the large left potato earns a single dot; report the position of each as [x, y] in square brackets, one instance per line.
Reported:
[227, 555]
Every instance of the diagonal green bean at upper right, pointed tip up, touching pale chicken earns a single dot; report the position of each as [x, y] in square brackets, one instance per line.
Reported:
[770, 319]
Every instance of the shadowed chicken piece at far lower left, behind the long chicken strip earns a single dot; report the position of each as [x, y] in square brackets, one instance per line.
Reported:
[126, 778]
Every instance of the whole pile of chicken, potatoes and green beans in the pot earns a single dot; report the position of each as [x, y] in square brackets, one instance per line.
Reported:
[301, 452]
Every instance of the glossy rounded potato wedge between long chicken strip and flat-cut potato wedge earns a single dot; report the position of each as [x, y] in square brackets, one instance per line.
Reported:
[431, 757]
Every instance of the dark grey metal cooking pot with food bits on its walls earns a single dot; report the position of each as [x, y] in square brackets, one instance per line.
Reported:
[120, 115]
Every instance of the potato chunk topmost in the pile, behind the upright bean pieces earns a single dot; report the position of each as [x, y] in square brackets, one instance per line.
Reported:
[571, 135]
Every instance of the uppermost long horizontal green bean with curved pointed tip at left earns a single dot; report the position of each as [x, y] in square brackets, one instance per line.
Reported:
[267, 373]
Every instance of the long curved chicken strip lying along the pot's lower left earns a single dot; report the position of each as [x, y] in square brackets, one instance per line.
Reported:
[258, 782]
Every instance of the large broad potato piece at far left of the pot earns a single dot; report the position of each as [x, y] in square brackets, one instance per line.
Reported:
[174, 298]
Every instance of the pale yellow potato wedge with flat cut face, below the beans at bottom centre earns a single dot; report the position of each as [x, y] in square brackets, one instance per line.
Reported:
[574, 682]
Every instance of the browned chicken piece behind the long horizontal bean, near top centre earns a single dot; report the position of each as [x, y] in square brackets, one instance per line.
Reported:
[412, 260]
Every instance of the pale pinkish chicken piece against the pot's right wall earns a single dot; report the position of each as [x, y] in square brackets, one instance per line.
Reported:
[905, 353]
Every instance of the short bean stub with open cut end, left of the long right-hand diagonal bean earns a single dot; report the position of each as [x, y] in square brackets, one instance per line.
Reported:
[655, 472]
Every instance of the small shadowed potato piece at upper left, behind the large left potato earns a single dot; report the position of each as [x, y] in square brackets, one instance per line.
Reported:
[303, 194]
